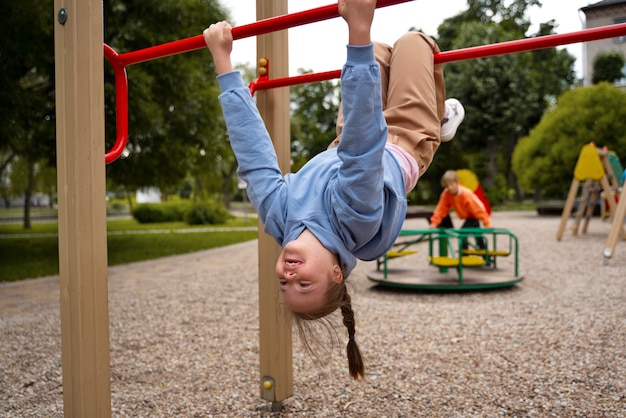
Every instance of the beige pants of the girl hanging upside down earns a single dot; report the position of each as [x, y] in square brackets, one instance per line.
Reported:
[413, 93]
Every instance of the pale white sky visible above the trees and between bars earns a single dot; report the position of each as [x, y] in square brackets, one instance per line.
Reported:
[320, 46]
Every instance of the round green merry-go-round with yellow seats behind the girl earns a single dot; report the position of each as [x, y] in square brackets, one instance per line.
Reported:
[452, 262]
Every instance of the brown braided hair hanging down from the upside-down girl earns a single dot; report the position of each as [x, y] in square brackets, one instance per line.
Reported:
[337, 297]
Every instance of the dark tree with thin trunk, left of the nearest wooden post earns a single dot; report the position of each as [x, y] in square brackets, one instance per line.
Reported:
[27, 111]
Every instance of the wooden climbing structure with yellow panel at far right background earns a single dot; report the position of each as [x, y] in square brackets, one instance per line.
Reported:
[597, 178]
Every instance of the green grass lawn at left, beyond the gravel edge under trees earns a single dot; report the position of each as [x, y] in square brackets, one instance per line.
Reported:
[34, 253]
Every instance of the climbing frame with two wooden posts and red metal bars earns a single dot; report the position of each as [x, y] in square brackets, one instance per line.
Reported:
[81, 181]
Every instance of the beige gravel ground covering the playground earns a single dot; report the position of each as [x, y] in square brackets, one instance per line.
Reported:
[184, 339]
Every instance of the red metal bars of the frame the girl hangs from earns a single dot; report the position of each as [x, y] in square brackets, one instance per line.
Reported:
[119, 62]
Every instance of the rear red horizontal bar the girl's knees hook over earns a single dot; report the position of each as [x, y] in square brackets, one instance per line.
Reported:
[483, 51]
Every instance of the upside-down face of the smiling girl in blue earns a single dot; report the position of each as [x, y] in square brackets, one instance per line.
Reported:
[305, 269]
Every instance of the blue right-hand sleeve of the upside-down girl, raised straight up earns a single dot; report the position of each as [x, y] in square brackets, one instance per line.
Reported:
[360, 191]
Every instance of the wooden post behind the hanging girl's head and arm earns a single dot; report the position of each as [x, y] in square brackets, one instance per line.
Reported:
[276, 359]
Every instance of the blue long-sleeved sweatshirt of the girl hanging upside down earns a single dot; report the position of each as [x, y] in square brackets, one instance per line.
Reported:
[351, 197]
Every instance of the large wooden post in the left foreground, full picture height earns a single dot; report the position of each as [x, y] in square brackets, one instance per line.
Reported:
[79, 64]
